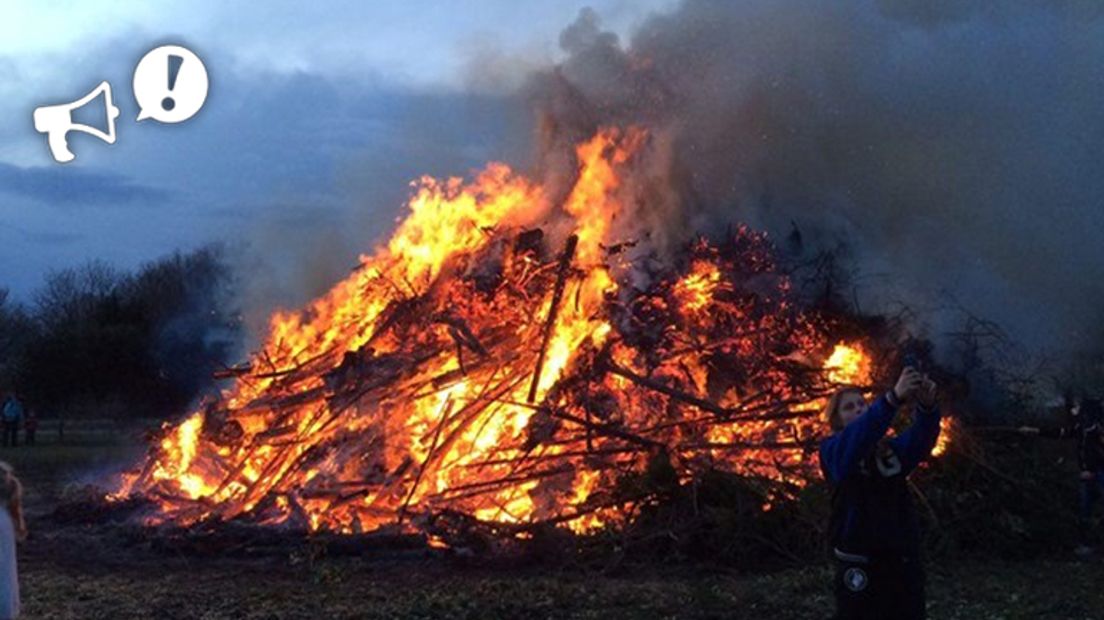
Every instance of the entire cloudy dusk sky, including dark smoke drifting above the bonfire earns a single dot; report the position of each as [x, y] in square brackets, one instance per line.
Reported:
[953, 144]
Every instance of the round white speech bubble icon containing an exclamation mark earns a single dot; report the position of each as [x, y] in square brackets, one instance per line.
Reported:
[171, 84]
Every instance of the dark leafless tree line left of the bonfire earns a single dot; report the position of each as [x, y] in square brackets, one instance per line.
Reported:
[98, 341]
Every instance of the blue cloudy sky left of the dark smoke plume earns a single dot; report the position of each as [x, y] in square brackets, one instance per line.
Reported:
[317, 117]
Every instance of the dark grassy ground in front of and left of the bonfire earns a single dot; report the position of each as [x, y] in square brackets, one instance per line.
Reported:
[75, 571]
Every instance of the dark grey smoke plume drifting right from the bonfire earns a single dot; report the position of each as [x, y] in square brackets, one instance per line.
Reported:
[957, 146]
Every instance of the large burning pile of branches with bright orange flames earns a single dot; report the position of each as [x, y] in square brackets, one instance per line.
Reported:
[496, 361]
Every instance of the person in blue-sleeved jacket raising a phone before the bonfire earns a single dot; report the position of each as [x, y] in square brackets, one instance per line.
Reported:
[874, 531]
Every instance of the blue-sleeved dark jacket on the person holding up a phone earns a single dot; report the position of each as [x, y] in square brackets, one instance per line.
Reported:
[873, 514]
